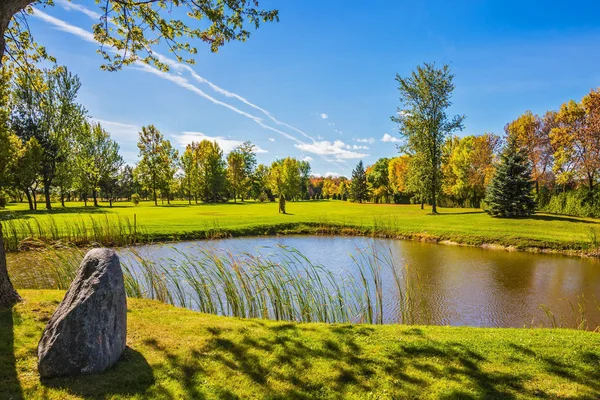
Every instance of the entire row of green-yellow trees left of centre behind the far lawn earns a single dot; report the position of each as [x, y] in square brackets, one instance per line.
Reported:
[49, 147]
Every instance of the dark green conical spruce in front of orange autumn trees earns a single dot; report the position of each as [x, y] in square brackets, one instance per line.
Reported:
[510, 192]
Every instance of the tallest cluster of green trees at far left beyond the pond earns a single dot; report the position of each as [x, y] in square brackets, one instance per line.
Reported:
[49, 145]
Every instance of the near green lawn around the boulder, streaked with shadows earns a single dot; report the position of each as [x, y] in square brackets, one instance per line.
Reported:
[175, 353]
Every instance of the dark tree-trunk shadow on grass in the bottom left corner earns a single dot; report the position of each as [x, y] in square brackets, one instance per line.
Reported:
[10, 387]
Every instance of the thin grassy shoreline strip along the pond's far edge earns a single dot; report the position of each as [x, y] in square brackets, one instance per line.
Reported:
[319, 229]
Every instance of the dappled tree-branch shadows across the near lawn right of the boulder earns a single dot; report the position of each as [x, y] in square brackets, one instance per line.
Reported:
[280, 361]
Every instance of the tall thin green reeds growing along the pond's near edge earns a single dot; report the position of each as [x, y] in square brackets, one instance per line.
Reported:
[289, 288]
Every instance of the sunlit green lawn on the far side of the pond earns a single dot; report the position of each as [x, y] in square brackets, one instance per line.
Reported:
[180, 221]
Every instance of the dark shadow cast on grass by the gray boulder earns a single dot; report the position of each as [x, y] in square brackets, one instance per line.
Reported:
[130, 376]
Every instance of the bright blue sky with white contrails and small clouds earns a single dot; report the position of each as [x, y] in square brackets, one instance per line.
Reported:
[319, 85]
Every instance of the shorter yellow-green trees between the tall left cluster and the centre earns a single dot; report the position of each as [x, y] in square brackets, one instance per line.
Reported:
[203, 173]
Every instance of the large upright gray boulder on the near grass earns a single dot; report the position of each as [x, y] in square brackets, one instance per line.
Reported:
[87, 332]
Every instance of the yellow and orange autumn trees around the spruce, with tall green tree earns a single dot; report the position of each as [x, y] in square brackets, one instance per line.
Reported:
[560, 151]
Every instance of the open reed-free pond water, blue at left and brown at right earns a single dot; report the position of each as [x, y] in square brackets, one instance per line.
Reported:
[457, 285]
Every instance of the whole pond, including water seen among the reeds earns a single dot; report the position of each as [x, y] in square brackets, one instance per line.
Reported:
[437, 284]
